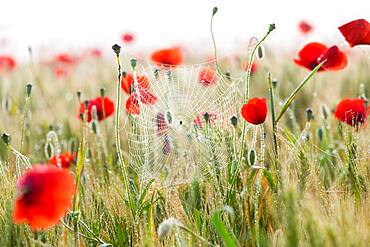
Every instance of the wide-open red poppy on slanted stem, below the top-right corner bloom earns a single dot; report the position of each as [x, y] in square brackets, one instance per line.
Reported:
[313, 53]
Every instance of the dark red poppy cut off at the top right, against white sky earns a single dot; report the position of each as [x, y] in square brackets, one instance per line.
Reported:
[356, 32]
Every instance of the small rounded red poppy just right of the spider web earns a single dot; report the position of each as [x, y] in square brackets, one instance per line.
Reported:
[255, 111]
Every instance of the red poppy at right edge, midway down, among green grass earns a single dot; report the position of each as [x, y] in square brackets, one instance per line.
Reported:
[351, 111]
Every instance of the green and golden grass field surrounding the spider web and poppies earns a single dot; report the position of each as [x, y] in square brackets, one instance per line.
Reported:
[309, 188]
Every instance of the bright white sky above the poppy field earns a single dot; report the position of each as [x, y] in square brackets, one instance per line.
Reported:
[72, 24]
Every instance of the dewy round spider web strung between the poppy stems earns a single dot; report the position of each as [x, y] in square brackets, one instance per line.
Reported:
[171, 141]
